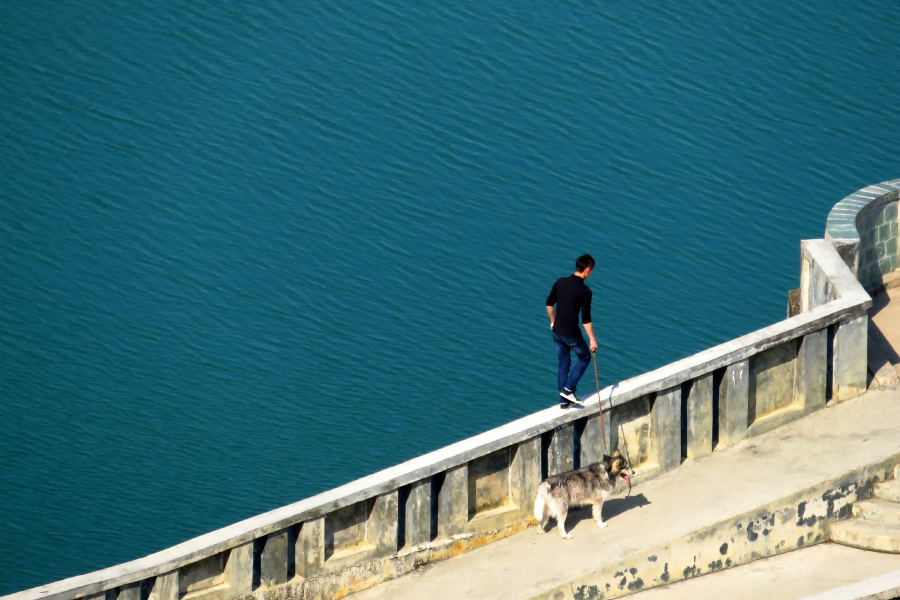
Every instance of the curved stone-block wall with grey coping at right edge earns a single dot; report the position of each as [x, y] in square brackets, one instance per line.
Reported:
[870, 216]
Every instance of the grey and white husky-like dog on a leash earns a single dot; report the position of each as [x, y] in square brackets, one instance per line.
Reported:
[591, 485]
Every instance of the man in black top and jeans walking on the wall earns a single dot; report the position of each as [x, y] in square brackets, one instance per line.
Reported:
[570, 295]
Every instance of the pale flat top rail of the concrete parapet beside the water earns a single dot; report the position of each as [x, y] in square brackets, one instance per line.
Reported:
[851, 300]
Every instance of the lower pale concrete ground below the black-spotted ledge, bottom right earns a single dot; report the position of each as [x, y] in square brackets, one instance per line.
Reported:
[789, 576]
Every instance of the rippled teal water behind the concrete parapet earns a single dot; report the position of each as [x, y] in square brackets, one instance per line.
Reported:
[252, 251]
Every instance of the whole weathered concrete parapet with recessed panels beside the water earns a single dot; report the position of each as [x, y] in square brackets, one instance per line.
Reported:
[481, 489]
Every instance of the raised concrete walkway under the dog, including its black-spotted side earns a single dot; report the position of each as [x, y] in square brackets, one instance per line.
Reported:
[725, 497]
